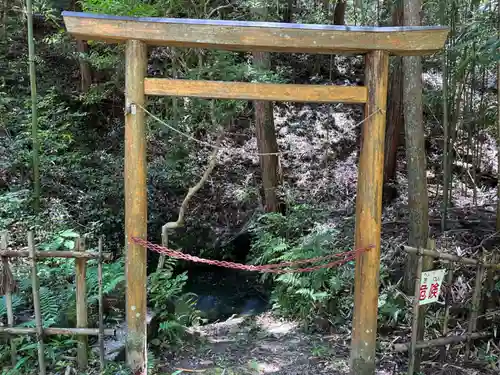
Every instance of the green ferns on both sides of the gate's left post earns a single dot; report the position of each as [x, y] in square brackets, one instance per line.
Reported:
[174, 309]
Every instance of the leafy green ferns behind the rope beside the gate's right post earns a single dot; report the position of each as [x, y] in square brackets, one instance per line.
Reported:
[321, 295]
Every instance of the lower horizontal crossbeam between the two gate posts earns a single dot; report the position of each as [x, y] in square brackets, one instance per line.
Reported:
[256, 91]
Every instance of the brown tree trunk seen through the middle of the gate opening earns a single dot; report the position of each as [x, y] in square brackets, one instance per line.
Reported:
[266, 135]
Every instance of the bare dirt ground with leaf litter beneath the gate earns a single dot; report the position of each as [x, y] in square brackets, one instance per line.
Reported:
[267, 345]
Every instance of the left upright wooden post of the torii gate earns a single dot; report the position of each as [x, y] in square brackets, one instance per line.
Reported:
[135, 203]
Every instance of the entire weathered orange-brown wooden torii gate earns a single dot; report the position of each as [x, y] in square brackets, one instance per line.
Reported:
[376, 43]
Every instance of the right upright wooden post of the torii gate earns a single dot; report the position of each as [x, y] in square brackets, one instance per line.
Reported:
[368, 216]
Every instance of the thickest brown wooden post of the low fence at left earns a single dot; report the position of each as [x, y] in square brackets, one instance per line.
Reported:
[81, 305]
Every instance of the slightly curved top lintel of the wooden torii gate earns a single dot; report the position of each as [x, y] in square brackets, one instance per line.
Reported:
[256, 36]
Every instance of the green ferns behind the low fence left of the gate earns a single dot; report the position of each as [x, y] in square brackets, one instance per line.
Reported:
[57, 301]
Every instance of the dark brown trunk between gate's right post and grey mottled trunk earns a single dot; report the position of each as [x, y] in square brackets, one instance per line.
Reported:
[395, 118]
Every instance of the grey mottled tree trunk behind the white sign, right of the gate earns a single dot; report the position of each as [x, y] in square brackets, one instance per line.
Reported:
[418, 201]
